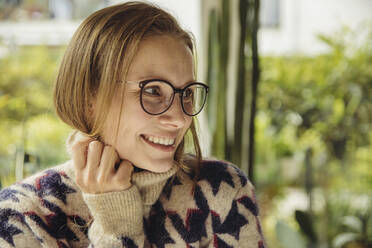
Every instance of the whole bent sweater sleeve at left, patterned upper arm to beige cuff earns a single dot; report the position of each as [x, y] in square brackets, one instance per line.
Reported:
[29, 220]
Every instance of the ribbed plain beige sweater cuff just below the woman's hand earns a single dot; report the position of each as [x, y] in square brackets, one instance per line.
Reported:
[117, 212]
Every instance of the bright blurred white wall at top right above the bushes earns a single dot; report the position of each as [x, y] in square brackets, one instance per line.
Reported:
[302, 20]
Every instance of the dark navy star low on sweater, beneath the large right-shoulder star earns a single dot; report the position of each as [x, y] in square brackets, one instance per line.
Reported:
[234, 221]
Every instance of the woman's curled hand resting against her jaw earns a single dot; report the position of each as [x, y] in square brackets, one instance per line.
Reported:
[95, 167]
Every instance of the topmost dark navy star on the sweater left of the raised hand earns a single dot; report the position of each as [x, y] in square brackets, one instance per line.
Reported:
[52, 184]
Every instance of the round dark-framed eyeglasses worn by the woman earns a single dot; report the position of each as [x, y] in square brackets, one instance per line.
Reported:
[157, 96]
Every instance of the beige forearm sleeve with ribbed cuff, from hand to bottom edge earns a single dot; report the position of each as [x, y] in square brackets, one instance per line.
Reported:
[117, 219]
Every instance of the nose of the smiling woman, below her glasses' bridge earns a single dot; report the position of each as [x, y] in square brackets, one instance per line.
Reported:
[174, 116]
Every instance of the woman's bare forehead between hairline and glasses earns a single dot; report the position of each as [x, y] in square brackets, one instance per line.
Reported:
[162, 57]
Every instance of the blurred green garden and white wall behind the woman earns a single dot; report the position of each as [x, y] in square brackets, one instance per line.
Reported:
[293, 79]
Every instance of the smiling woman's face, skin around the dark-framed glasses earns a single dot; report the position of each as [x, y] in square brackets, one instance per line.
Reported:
[158, 57]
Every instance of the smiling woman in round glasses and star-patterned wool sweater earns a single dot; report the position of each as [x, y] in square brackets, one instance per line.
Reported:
[127, 85]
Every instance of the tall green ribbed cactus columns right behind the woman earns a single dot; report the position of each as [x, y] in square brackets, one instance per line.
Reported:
[217, 77]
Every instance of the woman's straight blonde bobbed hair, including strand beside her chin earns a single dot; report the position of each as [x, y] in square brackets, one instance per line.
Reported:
[100, 54]
